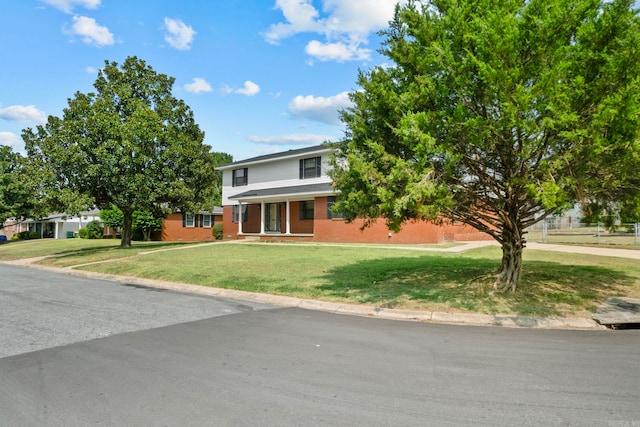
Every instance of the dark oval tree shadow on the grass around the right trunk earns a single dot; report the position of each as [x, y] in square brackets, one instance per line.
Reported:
[461, 283]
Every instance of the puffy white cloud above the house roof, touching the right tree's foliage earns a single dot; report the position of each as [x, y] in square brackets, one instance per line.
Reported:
[319, 108]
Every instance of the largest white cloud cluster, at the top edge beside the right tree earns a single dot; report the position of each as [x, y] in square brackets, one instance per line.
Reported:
[346, 25]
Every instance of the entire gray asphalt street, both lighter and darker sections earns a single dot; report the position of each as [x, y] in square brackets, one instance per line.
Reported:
[223, 363]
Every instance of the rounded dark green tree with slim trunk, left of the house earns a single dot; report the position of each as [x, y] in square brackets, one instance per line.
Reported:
[130, 144]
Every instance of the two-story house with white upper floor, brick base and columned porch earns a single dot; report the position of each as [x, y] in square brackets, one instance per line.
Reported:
[289, 195]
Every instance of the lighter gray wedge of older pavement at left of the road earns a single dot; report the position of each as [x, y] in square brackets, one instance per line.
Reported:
[41, 309]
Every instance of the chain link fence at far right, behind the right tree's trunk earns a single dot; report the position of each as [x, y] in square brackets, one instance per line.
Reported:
[568, 230]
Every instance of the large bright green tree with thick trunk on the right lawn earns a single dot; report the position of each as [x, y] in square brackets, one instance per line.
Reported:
[495, 114]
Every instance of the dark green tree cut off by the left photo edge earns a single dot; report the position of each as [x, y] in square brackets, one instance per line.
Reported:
[15, 196]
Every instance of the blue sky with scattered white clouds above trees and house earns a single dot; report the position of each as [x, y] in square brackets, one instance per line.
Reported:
[260, 76]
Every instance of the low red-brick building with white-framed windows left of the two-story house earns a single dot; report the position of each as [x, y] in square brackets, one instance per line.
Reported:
[189, 227]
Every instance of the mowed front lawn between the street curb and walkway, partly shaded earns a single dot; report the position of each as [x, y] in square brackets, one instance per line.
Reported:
[553, 284]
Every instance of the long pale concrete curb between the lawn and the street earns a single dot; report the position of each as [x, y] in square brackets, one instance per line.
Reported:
[470, 319]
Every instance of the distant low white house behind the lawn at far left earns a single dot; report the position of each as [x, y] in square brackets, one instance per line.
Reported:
[55, 226]
